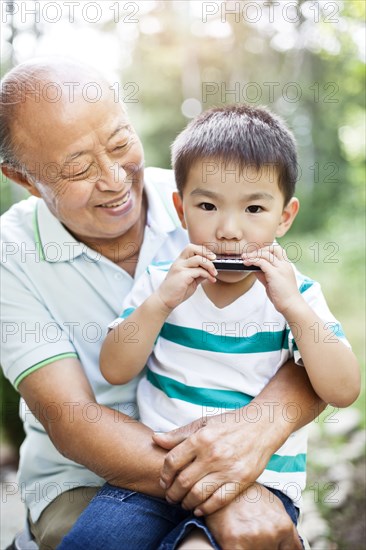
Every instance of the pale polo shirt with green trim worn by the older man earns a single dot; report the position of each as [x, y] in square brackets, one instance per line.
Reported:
[57, 298]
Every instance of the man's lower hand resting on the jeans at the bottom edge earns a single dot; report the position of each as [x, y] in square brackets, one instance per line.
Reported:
[252, 523]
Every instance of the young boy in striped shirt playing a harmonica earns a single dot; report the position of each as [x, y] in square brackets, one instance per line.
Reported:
[212, 339]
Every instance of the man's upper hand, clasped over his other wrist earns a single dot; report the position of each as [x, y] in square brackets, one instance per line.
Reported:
[221, 458]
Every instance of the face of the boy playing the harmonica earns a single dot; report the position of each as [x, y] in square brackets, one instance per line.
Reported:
[232, 211]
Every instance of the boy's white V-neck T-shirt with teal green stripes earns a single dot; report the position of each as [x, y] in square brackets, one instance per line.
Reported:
[209, 360]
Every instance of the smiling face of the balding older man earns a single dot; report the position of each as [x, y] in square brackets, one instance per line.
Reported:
[87, 162]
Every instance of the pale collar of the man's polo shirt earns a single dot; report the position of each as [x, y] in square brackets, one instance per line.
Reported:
[56, 244]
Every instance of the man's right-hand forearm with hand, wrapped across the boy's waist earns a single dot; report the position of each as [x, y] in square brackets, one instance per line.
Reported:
[232, 449]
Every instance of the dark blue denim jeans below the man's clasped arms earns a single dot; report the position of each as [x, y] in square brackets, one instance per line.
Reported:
[118, 519]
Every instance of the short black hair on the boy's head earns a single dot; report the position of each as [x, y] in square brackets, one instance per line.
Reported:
[239, 134]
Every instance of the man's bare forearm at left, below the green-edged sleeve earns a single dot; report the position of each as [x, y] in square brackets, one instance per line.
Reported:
[116, 447]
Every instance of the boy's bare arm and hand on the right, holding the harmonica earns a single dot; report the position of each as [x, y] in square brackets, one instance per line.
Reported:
[331, 365]
